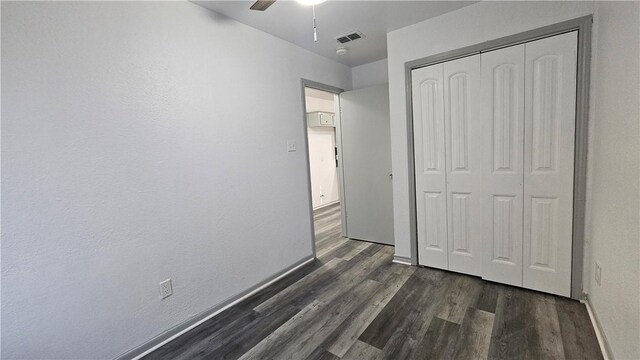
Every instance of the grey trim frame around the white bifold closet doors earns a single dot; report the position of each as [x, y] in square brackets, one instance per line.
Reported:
[583, 26]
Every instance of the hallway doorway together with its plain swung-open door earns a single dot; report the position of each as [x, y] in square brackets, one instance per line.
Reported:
[349, 156]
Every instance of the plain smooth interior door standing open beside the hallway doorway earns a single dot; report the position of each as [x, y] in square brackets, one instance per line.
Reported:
[366, 158]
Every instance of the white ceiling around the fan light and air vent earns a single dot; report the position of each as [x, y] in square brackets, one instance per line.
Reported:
[292, 22]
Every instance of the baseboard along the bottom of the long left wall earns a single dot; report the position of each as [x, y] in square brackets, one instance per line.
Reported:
[189, 324]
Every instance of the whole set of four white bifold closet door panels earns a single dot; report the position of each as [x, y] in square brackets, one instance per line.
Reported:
[494, 158]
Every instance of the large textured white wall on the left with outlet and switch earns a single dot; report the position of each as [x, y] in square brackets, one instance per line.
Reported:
[143, 141]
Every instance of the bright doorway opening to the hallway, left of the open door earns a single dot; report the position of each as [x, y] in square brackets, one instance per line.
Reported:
[322, 117]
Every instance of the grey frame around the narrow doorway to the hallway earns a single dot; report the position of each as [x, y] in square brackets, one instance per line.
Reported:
[305, 83]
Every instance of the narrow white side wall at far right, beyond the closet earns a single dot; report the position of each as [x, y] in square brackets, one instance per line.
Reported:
[613, 225]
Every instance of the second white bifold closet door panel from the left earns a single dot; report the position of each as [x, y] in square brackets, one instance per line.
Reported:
[463, 150]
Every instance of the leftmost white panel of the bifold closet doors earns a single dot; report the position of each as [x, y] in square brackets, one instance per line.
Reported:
[430, 168]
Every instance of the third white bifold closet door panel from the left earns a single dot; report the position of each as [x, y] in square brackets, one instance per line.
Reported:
[503, 78]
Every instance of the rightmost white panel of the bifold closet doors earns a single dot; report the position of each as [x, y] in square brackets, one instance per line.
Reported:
[549, 161]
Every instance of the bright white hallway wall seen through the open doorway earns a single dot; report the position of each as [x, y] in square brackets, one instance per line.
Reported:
[322, 142]
